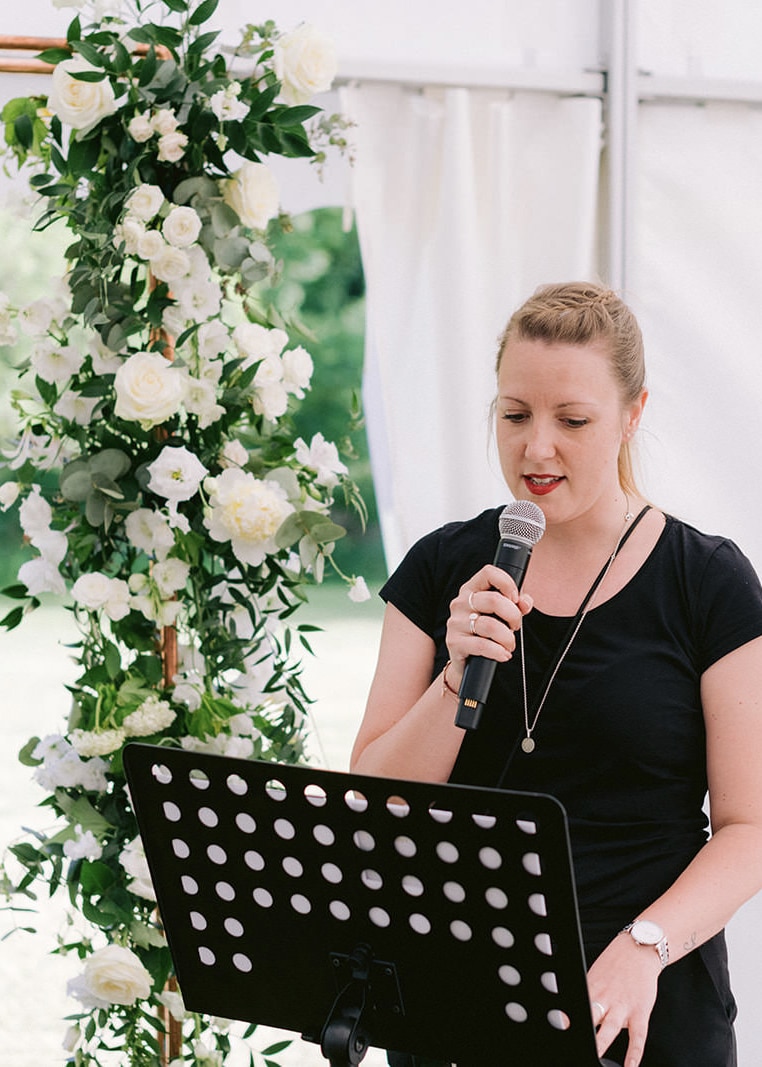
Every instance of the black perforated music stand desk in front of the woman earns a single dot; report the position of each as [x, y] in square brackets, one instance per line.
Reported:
[432, 919]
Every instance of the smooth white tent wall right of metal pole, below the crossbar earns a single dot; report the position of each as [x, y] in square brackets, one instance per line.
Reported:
[696, 281]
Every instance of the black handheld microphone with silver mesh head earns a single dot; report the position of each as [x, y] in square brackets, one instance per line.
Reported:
[521, 524]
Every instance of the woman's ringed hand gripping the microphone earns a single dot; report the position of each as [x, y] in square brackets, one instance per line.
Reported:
[484, 618]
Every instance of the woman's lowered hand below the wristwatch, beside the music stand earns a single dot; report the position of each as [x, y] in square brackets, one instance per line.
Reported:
[623, 986]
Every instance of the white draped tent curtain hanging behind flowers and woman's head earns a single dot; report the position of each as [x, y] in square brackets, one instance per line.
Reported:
[466, 201]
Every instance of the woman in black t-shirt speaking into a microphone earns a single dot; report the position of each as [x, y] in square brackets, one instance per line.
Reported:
[627, 709]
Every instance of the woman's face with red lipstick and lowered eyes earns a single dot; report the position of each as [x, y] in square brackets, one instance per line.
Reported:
[561, 425]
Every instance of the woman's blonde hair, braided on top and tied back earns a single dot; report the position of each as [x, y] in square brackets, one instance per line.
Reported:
[583, 313]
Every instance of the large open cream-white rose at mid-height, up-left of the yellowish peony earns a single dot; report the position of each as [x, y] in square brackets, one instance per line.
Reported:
[149, 390]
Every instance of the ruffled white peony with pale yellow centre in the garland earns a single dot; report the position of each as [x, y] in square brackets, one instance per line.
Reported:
[246, 512]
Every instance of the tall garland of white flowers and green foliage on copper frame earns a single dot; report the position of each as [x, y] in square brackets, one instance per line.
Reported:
[160, 483]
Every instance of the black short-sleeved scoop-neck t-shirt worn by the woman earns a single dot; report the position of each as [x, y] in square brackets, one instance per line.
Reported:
[621, 740]
